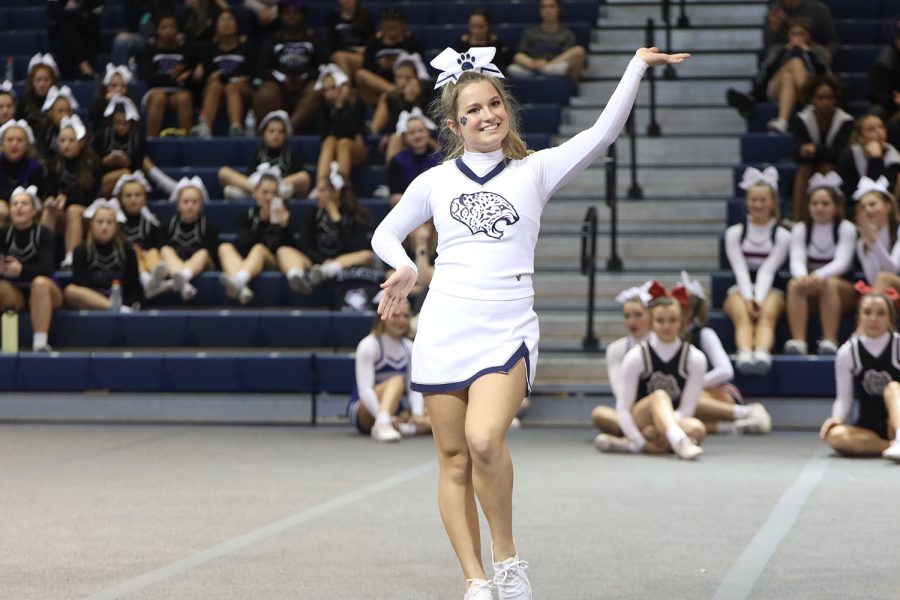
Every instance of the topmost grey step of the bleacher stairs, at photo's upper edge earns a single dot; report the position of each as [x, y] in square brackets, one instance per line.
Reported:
[615, 12]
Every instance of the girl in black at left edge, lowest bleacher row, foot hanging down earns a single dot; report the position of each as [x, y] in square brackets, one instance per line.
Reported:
[27, 266]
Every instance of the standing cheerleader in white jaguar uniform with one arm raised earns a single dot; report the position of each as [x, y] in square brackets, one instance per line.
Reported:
[475, 352]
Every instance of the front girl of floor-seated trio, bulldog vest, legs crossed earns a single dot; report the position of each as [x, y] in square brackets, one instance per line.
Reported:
[660, 384]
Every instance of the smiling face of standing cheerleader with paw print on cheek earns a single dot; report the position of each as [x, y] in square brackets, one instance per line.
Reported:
[481, 118]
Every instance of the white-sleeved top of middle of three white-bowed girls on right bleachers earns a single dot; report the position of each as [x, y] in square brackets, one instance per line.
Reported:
[821, 251]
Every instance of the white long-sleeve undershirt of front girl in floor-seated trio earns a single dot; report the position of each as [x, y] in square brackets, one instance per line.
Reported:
[633, 367]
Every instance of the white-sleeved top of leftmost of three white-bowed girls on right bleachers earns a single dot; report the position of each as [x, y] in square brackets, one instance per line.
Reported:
[758, 249]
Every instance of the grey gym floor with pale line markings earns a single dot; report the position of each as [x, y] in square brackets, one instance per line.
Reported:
[113, 511]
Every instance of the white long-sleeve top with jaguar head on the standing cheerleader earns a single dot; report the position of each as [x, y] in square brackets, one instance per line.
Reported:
[487, 208]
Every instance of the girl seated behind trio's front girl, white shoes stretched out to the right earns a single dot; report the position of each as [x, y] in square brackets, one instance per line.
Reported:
[721, 406]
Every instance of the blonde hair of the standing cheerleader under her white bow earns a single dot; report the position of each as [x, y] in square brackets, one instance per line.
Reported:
[444, 109]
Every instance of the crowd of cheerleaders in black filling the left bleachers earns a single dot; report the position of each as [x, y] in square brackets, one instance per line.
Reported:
[146, 142]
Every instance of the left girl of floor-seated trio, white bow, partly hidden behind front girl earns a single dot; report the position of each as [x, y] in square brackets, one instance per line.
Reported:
[636, 316]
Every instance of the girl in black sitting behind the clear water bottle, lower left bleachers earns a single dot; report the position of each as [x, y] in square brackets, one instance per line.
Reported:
[104, 258]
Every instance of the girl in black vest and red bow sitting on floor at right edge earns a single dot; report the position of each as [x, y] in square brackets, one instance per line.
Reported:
[867, 369]
